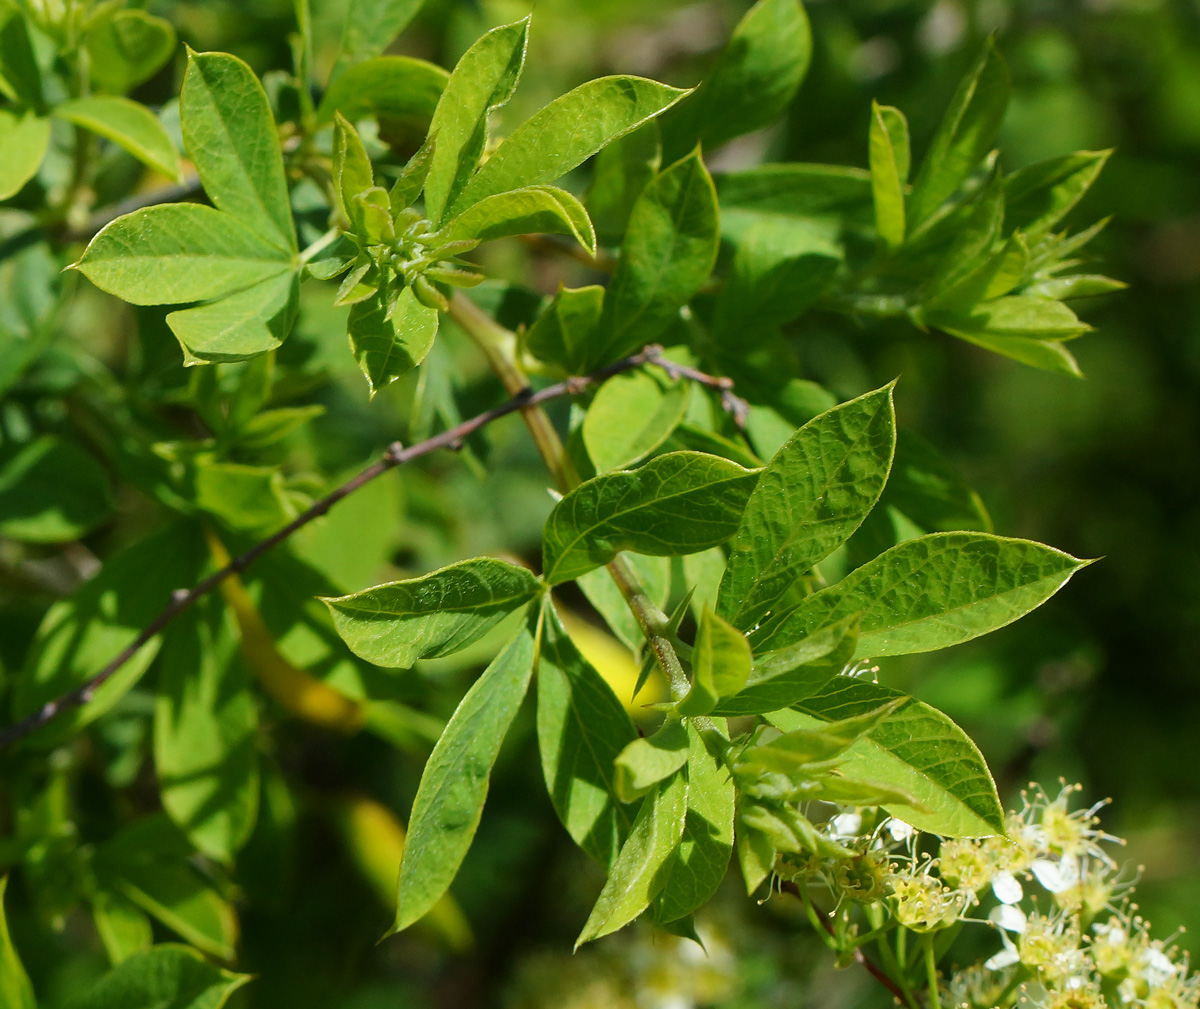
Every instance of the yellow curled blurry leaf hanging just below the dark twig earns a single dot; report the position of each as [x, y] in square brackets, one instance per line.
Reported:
[303, 695]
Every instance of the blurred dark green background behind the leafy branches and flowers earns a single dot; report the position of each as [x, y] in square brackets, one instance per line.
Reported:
[1101, 686]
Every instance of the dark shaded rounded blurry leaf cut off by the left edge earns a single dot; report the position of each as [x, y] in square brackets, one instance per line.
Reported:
[52, 491]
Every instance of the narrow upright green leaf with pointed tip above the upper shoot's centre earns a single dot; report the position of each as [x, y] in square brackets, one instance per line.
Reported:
[482, 82]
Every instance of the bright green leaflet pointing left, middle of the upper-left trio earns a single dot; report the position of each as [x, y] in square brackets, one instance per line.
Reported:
[179, 253]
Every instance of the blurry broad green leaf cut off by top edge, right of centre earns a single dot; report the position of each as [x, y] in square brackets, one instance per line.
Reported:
[752, 85]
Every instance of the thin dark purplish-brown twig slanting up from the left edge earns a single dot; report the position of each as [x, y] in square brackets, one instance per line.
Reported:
[397, 455]
